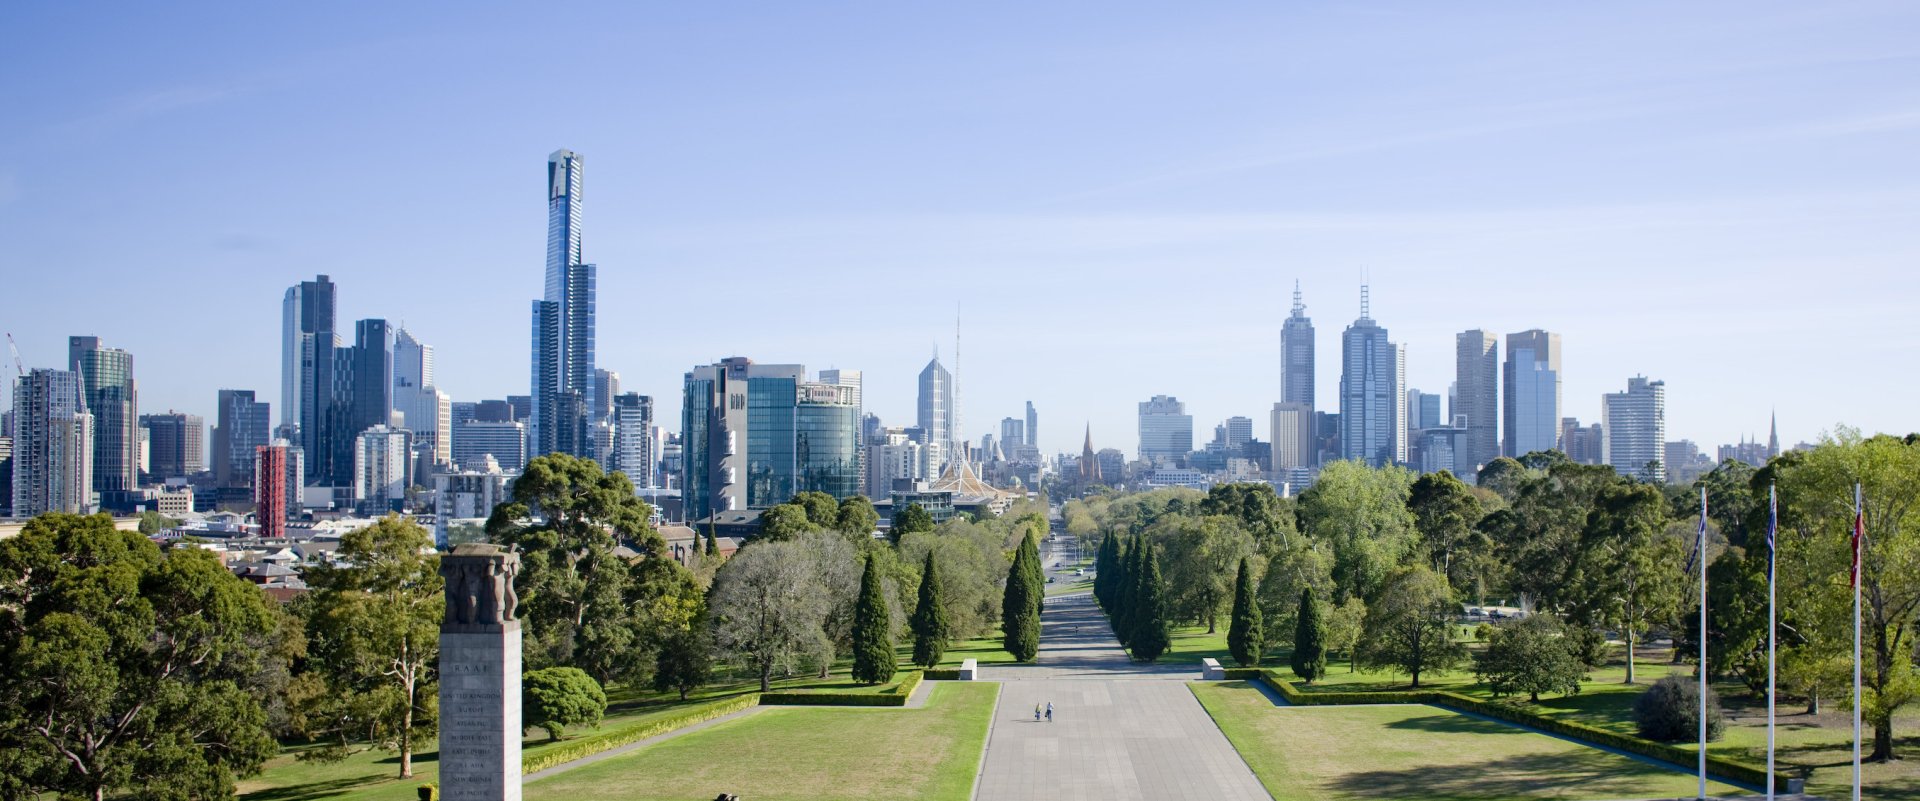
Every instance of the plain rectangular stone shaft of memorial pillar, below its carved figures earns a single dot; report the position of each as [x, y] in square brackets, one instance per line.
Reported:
[481, 714]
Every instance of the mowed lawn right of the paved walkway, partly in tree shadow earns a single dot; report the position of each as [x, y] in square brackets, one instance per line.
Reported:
[1418, 752]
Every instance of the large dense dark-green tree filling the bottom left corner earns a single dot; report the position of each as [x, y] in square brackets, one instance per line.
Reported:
[126, 669]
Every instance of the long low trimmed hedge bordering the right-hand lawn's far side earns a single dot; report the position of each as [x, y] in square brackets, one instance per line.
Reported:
[1520, 716]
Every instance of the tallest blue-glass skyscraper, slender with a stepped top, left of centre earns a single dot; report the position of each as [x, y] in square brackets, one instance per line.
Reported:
[564, 324]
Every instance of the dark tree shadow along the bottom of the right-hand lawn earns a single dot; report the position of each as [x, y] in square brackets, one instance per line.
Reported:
[1587, 773]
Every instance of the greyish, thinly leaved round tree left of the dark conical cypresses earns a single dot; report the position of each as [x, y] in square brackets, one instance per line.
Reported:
[769, 610]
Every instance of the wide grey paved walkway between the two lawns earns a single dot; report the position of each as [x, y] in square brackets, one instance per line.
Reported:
[1120, 731]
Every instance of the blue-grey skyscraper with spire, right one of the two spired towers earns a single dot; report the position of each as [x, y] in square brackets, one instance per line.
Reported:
[1370, 393]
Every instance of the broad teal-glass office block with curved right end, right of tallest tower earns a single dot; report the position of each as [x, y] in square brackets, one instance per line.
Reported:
[757, 435]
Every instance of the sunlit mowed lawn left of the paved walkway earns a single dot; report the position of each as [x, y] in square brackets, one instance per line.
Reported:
[804, 756]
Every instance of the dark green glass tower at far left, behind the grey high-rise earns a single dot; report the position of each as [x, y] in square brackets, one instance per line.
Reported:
[108, 395]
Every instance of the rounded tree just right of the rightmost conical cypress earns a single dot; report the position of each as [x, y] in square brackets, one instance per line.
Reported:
[1410, 625]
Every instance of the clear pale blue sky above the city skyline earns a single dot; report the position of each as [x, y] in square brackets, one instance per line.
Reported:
[1116, 197]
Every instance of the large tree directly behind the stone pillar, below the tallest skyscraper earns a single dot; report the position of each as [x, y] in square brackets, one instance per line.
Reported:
[567, 518]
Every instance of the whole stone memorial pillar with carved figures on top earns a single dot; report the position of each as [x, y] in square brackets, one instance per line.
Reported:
[481, 677]
